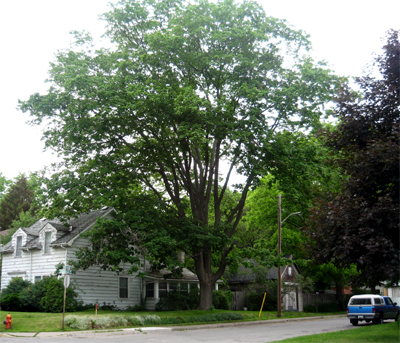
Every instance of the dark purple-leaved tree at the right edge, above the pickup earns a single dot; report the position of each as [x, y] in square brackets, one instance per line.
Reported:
[361, 224]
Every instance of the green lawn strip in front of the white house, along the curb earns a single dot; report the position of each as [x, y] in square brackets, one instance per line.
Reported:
[48, 322]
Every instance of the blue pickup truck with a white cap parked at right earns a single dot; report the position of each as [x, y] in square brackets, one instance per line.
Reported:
[370, 307]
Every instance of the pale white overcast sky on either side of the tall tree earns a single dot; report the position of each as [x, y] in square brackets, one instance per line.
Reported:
[344, 33]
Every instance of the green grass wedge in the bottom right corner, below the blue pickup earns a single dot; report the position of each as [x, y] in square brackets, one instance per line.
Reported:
[385, 333]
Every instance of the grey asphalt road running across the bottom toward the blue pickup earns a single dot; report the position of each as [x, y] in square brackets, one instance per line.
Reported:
[258, 333]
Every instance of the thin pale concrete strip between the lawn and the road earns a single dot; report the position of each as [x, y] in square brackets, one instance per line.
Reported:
[130, 331]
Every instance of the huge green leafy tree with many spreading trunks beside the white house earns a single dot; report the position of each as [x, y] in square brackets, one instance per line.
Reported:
[190, 94]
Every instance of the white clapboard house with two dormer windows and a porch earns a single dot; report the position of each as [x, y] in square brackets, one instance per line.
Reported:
[34, 252]
